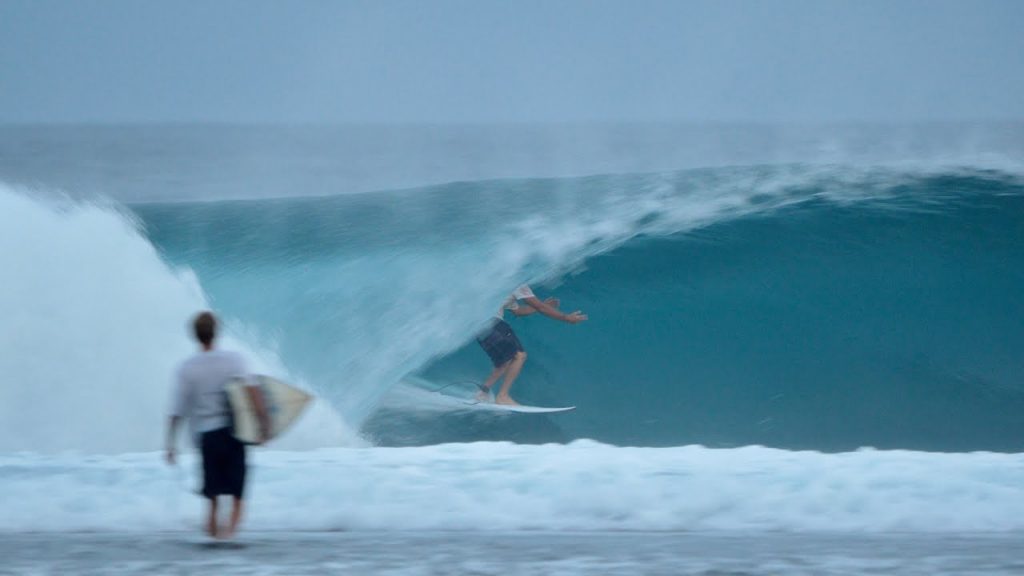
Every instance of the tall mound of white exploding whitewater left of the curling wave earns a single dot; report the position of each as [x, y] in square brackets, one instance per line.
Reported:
[94, 325]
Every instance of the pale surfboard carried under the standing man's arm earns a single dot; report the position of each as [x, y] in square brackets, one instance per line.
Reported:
[284, 402]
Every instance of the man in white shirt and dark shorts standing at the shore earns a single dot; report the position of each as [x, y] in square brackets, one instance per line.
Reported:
[201, 397]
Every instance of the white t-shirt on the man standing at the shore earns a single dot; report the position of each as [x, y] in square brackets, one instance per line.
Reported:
[199, 395]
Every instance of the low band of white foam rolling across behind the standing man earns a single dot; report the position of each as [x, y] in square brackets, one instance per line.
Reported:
[489, 486]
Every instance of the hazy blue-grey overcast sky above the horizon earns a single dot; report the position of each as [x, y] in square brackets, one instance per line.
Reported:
[477, 61]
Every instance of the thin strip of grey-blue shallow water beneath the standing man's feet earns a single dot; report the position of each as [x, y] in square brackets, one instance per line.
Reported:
[510, 553]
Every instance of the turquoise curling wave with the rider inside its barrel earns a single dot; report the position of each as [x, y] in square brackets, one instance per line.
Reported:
[825, 308]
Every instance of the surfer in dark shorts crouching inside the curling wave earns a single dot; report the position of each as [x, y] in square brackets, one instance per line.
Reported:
[504, 348]
